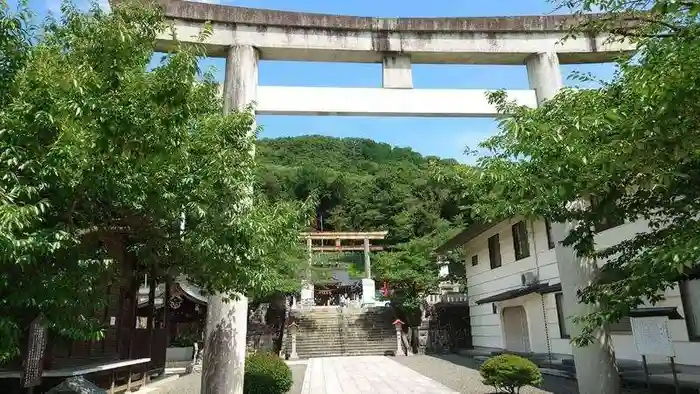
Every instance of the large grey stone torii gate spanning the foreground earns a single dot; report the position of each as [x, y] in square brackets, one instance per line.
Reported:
[246, 35]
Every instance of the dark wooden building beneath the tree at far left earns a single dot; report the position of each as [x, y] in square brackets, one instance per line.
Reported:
[115, 362]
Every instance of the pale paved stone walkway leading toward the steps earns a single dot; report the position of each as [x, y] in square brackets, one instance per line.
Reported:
[366, 375]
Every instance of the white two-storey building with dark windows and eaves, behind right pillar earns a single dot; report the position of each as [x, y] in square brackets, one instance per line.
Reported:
[515, 297]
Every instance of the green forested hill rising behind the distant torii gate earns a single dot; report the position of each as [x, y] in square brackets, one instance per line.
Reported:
[362, 184]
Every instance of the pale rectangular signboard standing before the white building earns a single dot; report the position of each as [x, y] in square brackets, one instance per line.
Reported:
[651, 336]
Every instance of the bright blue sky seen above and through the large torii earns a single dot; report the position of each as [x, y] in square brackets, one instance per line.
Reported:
[429, 136]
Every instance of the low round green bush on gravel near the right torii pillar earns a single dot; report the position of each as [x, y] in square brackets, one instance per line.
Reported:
[508, 373]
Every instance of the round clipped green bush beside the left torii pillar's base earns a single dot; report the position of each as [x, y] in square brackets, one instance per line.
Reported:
[266, 373]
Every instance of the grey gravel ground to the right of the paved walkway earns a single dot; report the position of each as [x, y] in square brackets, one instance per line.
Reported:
[462, 374]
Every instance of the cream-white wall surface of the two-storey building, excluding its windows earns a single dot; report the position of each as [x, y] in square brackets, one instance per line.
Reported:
[541, 311]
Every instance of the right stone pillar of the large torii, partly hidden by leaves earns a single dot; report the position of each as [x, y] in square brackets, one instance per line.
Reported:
[595, 364]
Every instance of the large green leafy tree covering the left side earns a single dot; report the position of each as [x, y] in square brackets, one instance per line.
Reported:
[100, 160]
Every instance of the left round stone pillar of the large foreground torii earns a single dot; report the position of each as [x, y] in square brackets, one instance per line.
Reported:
[223, 366]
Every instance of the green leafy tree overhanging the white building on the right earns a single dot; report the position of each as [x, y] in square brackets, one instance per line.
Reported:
[629, 147]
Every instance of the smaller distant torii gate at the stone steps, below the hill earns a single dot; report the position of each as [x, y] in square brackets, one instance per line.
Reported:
[315, 243]
